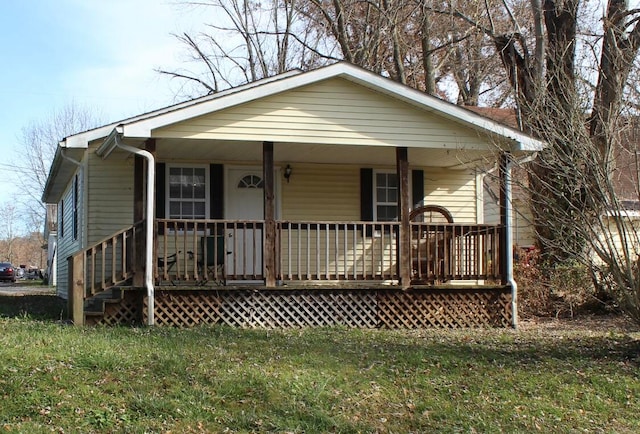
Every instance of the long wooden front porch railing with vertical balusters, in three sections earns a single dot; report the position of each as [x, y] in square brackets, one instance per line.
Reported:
[224, 251]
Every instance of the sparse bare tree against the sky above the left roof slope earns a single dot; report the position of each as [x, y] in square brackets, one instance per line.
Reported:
[247, 41]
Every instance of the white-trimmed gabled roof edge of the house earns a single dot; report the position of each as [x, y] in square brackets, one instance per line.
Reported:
[142, 126]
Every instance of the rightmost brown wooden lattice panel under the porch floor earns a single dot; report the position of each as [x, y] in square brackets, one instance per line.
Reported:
[445, 308]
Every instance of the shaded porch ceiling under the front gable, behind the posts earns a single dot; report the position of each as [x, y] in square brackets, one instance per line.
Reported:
[200, 150]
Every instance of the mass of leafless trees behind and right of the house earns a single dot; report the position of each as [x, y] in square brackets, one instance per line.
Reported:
[569, 67]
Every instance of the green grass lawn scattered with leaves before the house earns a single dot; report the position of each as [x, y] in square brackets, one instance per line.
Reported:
[580, 376]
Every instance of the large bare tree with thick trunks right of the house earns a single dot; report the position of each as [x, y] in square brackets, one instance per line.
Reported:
[578, 211]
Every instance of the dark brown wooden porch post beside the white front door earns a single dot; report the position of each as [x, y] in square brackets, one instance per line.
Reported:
[269, 253]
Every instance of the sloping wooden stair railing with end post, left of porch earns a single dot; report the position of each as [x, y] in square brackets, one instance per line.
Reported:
[107, 263]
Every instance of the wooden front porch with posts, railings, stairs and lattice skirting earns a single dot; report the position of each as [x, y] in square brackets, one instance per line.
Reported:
[422, 270]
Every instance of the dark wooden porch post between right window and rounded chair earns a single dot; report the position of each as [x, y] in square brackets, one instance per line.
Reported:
[404, 205]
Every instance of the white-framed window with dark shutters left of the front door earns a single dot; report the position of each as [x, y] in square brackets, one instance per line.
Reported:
[187, 187]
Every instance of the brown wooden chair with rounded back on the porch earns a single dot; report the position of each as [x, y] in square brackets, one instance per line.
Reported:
[431, 249]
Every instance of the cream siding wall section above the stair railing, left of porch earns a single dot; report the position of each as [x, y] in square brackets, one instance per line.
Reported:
[110, 195]
